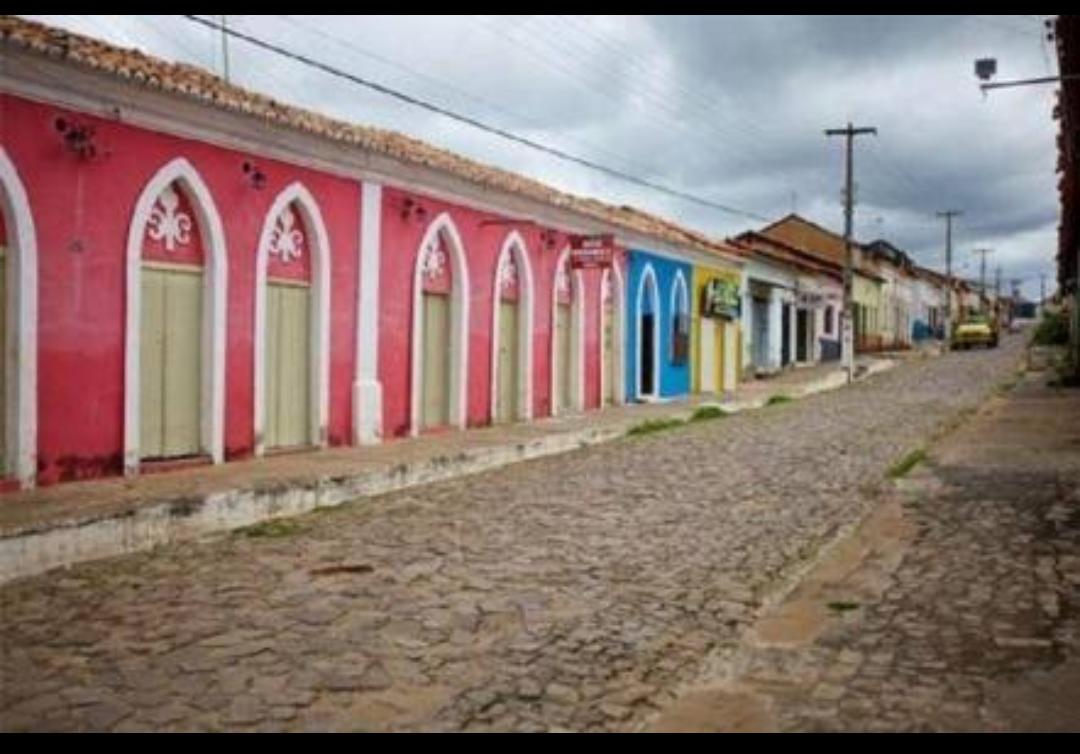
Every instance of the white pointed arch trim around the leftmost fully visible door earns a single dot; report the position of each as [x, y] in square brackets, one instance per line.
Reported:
[215, 285]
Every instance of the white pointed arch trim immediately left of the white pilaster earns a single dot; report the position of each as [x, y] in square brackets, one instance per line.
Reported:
[320, 249]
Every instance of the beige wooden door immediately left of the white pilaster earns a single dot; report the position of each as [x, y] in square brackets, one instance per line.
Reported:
[288, 368]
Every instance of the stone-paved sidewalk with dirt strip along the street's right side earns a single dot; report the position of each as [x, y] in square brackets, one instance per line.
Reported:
[954, 609]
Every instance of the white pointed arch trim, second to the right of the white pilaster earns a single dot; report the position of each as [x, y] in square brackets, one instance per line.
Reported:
[516, 246]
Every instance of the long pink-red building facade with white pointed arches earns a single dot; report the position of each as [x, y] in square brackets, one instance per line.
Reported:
[160, 254]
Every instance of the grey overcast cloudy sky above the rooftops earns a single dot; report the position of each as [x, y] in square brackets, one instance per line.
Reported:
[728, 109]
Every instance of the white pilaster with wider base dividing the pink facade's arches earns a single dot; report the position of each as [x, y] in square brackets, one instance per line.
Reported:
[367, 389]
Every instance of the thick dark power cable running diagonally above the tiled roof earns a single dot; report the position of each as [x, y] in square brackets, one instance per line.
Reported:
[255, 42]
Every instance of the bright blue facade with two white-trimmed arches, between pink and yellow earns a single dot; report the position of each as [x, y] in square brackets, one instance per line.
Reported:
[658, 327]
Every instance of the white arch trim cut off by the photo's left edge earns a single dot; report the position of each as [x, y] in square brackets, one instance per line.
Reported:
[21, 358]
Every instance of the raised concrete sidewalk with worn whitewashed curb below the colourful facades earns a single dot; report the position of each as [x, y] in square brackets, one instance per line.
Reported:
[82, 521]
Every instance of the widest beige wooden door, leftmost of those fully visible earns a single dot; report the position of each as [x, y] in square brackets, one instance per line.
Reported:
[171, 362]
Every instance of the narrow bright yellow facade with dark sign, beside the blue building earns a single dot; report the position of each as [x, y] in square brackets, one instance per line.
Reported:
[715, 332]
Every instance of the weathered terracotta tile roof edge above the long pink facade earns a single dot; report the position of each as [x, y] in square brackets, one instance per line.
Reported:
[197, 84]
